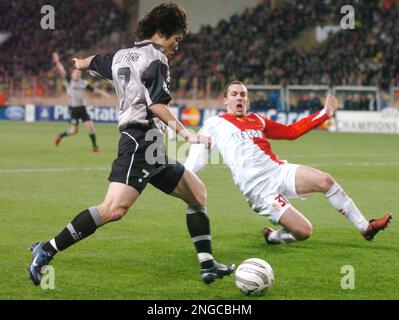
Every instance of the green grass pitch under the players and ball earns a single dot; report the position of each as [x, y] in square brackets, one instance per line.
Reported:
[149, 254]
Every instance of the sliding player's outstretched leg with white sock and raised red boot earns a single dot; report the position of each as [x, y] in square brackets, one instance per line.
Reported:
[309, 180]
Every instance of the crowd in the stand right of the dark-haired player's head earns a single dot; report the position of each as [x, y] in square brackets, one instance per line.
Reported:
[251, 47]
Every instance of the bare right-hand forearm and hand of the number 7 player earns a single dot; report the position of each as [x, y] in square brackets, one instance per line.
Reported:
[162, 112]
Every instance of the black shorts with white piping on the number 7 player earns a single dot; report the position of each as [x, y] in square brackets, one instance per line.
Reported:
[140, 162]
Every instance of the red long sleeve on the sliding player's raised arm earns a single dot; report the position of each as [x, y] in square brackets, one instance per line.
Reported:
[278, 131]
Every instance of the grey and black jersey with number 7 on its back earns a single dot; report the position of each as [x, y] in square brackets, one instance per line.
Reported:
[141, 77]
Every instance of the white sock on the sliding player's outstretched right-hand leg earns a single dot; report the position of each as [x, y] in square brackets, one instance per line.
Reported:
[340, 201]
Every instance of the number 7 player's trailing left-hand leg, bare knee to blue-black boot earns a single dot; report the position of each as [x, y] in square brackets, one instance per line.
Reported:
[118, 200]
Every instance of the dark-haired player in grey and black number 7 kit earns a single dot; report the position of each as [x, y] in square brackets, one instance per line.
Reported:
[140, 76]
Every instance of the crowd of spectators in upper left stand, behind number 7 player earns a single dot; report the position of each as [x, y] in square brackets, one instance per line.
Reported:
[79, 24]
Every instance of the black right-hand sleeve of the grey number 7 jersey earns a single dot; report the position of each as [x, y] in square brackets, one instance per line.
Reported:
[155, 78]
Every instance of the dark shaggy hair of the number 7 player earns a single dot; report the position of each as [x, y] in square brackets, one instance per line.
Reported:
[167, 18]
